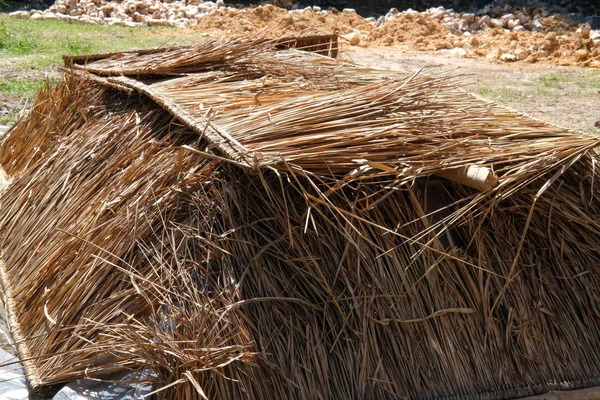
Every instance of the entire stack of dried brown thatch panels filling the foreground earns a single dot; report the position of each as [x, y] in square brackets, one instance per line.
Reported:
[252, 222]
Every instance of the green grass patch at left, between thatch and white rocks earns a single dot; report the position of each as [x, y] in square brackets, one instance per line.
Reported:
[31, 48]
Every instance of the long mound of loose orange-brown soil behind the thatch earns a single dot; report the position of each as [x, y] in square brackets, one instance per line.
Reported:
[563, 42]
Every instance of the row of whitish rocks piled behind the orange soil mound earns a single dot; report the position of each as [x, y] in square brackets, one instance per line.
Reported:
[189, 12]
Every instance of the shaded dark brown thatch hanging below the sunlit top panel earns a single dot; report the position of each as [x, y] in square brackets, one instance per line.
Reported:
[375, 312]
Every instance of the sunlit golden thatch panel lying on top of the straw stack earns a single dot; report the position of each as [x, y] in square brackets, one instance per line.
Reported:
[344, 120]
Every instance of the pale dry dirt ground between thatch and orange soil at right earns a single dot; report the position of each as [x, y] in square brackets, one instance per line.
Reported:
[565, 96]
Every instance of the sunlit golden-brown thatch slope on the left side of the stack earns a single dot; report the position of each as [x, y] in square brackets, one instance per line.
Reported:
[78, 202]
